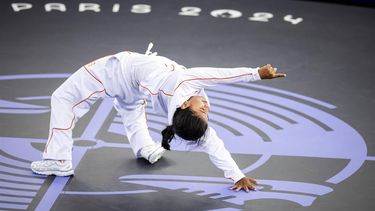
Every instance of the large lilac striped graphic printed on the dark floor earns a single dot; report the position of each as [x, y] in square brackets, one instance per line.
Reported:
[260, 120]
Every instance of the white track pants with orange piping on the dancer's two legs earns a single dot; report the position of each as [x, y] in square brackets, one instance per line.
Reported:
[74, 98]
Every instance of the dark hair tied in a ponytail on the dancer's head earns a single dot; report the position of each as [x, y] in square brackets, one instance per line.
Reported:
[186, 125]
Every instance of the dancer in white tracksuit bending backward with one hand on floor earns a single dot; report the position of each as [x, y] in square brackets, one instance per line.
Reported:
[130, 79]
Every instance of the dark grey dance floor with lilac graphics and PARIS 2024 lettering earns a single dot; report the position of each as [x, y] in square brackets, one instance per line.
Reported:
[308, 138]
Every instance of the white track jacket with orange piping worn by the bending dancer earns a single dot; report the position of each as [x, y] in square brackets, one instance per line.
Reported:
[170, 84]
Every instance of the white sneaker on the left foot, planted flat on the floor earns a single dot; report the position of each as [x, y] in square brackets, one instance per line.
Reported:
[53, 167]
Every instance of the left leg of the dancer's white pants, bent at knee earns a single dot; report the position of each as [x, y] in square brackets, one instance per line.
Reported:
[69, 102]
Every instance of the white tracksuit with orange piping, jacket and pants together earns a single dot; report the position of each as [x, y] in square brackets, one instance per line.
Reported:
[131, 78]
